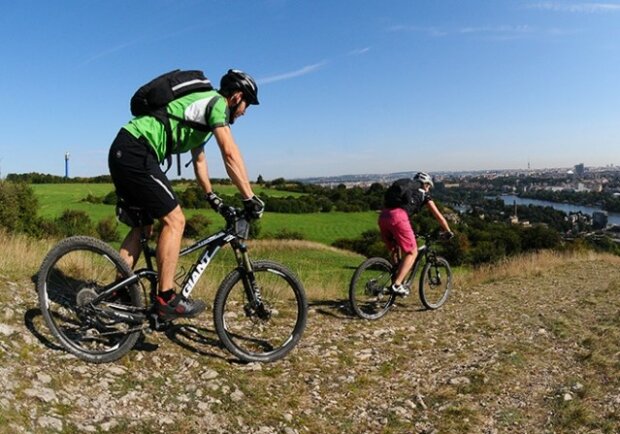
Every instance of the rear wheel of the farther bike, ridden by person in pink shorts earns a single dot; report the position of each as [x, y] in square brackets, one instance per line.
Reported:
[367, 294]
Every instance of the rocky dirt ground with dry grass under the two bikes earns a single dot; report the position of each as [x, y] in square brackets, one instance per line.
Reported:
[529, 354]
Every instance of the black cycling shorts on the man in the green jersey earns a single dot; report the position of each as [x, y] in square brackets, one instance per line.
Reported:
[138, 178]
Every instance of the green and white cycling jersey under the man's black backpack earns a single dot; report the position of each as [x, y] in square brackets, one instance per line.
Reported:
[206, 108]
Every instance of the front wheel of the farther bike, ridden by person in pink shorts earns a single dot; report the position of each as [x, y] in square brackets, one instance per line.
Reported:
[435, 288]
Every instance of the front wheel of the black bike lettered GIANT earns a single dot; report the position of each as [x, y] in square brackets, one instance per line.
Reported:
[266, 330]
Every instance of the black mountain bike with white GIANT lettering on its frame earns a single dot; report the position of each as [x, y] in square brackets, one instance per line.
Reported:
[97, 307]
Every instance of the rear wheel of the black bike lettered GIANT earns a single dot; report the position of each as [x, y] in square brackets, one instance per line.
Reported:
[71, 274]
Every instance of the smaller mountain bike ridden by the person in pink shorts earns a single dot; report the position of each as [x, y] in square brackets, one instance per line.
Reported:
[370, 292]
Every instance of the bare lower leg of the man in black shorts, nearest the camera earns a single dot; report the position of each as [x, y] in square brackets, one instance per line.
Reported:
[168, 247]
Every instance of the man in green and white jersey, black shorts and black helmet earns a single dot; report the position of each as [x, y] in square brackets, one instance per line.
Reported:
[134, 161]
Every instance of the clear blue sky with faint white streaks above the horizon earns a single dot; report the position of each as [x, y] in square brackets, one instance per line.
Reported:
[346, 87]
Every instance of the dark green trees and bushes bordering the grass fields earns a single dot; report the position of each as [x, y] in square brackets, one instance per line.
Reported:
[483, 233]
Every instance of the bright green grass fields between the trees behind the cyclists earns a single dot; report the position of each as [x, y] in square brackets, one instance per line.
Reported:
[319, 227]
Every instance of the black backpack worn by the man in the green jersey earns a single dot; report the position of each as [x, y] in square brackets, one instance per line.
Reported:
[152, 98]
